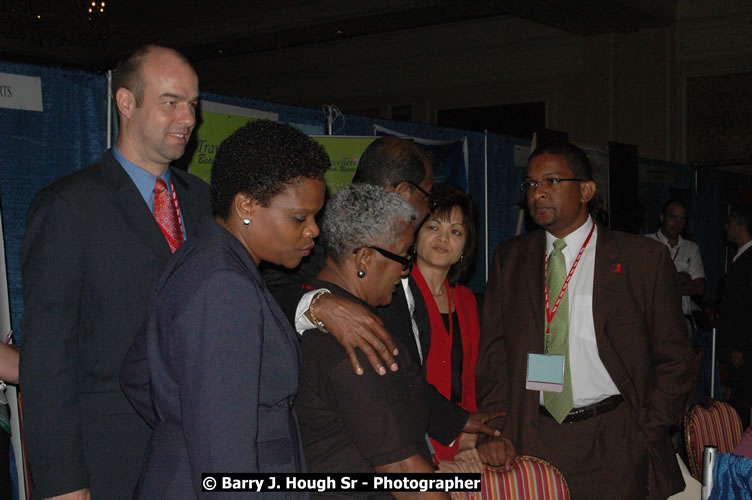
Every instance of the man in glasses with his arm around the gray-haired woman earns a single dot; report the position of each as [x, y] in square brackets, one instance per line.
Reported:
[400, 166]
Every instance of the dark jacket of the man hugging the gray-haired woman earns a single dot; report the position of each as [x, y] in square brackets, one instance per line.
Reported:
[447, 419]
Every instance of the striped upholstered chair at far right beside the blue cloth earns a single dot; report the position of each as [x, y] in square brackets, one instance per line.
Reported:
[717, 425]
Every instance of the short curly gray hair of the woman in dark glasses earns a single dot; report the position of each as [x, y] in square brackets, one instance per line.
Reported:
[361, 215]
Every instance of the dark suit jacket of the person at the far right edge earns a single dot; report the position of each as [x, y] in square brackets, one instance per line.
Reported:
[736, 300]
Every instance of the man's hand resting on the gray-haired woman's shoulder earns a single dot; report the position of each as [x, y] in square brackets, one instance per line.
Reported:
[354, 326]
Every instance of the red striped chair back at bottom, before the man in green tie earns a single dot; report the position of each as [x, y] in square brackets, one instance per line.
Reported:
[531, 478]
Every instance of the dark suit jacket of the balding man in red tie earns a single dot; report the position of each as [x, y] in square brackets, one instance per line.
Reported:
[91, 255]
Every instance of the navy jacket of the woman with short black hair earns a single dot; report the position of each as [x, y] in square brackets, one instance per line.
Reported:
[222, 366]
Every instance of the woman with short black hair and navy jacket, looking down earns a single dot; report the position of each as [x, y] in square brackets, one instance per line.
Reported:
[221, 358]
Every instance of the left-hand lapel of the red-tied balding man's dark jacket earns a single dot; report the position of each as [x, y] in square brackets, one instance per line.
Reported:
[133, 208]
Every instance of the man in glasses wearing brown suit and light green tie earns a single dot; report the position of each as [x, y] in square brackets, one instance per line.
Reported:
[583, 341]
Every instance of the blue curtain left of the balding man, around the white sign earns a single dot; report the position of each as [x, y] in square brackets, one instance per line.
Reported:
[38, 147]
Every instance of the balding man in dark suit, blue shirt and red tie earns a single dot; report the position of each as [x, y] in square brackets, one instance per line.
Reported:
[95, 245]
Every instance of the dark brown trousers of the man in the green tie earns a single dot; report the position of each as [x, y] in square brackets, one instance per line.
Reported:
[604, 457]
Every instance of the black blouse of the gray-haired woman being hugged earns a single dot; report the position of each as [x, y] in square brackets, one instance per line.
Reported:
[353, 423]
